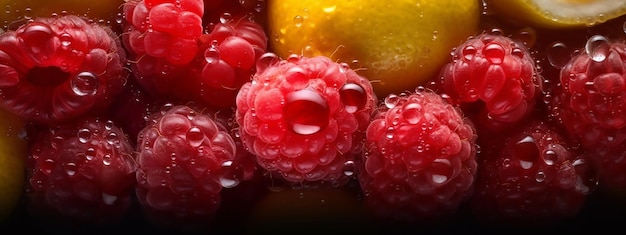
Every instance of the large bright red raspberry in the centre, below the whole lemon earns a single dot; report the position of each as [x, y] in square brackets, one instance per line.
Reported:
[304, 118]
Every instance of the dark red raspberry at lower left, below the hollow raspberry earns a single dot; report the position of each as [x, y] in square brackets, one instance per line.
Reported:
[83, 171]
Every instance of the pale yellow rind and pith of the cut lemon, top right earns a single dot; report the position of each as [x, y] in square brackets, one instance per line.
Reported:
[527, 13]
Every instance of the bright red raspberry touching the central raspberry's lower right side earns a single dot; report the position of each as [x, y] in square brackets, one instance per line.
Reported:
[419, 161]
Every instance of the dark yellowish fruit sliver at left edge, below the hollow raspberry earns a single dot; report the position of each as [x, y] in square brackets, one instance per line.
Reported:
[12, 163]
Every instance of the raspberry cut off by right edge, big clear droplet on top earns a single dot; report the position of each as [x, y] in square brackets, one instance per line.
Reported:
[590, 103]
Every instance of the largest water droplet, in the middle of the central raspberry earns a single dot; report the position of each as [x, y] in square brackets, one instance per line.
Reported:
[306, 112]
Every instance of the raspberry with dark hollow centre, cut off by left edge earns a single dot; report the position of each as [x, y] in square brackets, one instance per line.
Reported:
[56, 69]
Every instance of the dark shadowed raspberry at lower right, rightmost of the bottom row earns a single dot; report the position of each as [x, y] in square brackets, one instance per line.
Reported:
[533, 177]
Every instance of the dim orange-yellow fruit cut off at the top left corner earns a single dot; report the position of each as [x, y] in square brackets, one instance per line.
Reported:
[19, 10]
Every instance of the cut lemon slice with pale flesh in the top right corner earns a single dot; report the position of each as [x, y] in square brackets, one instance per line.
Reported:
[558, 13]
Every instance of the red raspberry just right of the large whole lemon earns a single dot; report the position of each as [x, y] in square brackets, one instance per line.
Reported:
[494, 80]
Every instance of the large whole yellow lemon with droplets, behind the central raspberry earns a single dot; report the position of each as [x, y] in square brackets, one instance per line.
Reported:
[398, 45]
